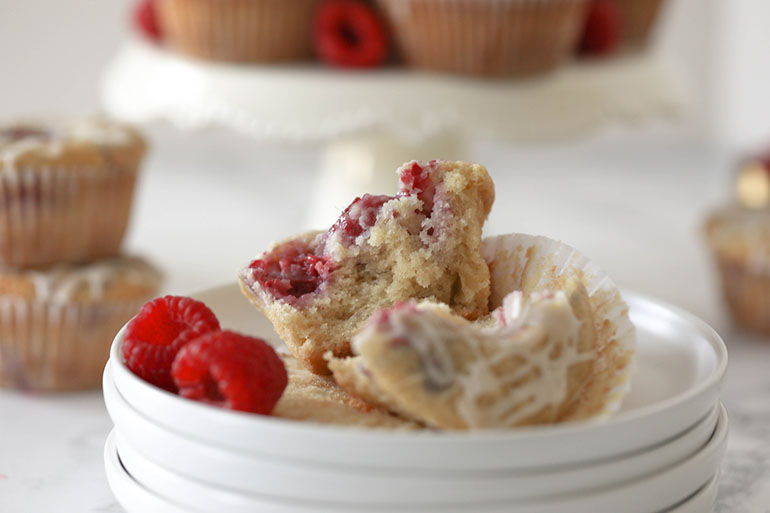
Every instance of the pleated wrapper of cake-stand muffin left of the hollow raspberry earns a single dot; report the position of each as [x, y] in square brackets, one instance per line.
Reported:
[239, 30]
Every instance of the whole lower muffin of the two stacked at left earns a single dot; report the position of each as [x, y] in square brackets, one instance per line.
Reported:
[57, 324]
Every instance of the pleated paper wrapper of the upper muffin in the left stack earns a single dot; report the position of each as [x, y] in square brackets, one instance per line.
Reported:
[51, 215]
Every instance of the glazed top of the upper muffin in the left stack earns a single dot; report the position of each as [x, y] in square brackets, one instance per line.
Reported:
[78, 144]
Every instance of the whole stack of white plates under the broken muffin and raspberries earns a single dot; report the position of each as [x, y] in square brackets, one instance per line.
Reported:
[660, 453]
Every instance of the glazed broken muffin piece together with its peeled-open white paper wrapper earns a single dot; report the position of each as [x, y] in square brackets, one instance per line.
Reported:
[558, 347]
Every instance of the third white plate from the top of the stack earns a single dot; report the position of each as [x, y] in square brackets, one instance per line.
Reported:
[663, 490]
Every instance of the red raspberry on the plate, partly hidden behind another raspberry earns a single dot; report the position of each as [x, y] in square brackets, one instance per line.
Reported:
[157, 333]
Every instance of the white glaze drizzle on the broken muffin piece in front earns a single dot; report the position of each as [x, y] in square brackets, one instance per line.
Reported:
[529, 332]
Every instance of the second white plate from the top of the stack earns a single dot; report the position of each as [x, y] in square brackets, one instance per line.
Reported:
[219, 467]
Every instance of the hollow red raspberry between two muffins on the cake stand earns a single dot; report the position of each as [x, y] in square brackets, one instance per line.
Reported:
[349, 34]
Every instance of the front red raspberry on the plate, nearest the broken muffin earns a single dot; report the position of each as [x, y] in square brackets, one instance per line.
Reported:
[232, 371]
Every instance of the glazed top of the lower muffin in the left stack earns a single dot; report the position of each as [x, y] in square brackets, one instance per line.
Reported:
[113, 280]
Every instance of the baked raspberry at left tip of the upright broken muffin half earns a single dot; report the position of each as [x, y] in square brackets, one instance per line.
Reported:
[290, 271]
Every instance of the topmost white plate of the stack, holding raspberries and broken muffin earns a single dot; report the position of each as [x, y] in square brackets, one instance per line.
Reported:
[681, 363]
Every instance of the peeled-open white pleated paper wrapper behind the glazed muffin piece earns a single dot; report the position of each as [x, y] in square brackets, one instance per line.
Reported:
[532, 263]
